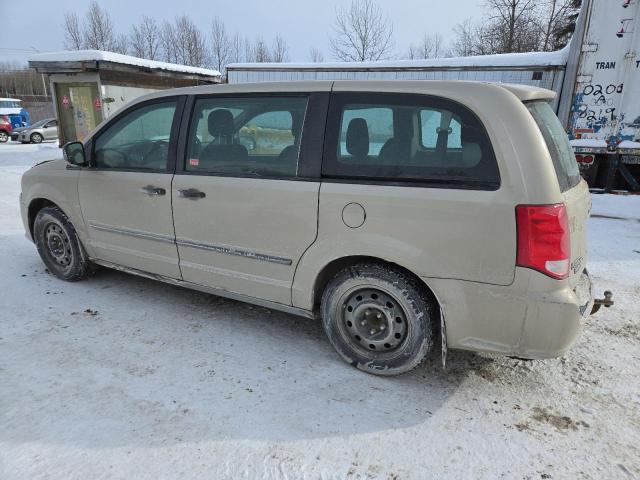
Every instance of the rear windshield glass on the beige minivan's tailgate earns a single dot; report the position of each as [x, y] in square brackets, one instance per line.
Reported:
[557, 141]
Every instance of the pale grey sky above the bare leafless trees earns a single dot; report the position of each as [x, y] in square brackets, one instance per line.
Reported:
[303, 24]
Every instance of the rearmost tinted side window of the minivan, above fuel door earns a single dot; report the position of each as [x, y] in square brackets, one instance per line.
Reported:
[408, 138]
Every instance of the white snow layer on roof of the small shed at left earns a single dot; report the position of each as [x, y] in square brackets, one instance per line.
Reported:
[102, 56]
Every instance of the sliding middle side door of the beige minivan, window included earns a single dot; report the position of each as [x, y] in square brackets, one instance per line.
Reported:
[242, 213]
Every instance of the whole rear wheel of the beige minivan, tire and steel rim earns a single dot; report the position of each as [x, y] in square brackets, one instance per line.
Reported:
[360, 300]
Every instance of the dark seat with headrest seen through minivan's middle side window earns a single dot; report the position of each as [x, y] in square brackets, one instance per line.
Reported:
[221, 150]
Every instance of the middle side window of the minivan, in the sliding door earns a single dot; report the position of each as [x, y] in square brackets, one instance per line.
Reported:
[246, 136]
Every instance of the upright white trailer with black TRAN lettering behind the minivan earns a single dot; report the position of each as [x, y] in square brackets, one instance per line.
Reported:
[604, 99]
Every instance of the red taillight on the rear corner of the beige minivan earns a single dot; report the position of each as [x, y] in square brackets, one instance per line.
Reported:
[543, 239]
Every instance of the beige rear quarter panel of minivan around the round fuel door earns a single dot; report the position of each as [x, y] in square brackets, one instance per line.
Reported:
[436, 232]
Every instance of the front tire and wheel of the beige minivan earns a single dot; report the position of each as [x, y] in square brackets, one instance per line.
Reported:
[59, 247]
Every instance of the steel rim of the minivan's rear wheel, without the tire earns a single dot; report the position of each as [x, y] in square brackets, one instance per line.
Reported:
[373, 320]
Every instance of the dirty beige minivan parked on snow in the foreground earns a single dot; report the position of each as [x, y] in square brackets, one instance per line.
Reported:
[397, 212]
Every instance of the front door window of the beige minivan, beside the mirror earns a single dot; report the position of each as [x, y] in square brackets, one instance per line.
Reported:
[137, 141]
